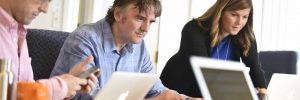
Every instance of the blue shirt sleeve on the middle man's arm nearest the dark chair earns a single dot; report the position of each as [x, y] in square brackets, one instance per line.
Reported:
[76, 48]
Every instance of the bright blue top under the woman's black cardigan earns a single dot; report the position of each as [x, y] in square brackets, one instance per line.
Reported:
[223, 50]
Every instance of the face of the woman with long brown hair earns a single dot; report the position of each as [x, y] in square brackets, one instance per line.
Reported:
[233, 21]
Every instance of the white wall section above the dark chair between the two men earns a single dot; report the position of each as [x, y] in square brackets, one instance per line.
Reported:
[62, 15]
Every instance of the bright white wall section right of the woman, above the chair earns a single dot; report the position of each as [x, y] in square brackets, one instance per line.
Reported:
[280, 25]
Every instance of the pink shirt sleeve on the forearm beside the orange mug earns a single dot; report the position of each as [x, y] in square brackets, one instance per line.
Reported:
[57, 88]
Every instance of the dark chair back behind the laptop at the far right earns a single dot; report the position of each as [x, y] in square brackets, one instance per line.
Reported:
[278, 62]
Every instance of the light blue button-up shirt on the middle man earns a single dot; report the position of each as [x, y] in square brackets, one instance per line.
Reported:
[96, 39]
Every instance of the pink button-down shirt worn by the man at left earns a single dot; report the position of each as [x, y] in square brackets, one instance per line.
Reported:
[13, 45]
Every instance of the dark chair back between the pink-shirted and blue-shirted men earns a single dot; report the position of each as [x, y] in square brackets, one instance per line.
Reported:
[44, 47]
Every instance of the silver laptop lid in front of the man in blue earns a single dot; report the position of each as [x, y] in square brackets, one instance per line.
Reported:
[127, 86]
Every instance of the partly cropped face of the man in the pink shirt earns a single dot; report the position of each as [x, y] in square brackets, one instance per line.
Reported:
[24, 11]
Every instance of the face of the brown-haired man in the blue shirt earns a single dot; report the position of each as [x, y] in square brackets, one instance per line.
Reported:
[132, 25]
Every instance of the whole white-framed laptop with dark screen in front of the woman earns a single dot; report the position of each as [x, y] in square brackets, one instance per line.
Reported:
[223, 80]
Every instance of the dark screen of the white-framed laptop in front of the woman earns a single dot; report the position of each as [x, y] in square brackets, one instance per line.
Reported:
[226, 84]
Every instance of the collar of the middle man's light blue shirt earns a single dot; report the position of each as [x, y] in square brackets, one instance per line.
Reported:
[109, 43]
